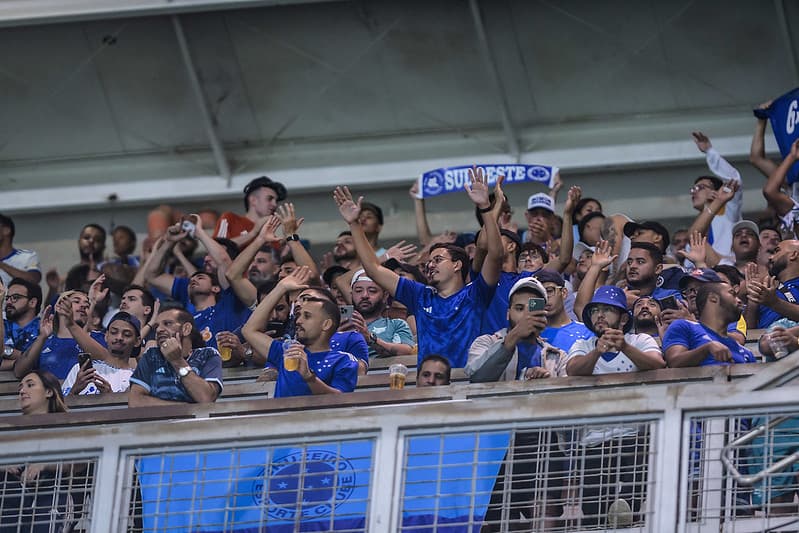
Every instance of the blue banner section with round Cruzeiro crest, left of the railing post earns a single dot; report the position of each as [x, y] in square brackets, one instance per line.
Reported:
[264, 490]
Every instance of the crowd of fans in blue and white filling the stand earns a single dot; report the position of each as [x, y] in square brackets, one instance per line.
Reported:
[580, 292]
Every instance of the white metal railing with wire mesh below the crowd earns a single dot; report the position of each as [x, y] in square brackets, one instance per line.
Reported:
[498, 457]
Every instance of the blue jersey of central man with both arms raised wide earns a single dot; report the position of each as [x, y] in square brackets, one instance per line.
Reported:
[446, 326]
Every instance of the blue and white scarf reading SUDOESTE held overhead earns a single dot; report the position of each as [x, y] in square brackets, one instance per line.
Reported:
[452, 179]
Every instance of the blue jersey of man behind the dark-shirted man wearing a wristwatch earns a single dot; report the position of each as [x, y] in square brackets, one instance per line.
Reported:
[227, 314]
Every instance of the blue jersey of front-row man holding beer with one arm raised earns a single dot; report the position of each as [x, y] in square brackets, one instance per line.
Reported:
[337, 369]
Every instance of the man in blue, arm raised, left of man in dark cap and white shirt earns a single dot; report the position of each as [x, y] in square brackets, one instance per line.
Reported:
[55, 349]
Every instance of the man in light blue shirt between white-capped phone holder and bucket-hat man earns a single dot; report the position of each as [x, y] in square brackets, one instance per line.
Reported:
[561, 331]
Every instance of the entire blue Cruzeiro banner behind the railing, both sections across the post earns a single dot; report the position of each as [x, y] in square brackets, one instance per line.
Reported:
[326, 487]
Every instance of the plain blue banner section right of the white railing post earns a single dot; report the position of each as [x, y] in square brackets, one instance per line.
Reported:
[449, 479]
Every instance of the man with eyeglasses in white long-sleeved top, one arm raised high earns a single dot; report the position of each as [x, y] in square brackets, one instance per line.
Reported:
[717, 198]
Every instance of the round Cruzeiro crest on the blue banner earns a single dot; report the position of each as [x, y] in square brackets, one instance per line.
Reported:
[328, 482]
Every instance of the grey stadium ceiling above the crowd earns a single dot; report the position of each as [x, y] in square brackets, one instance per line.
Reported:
[98, 99]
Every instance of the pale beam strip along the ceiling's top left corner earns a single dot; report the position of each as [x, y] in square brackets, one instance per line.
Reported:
[33, 12]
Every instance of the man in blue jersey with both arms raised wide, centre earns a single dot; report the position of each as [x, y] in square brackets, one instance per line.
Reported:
[448, 312]
